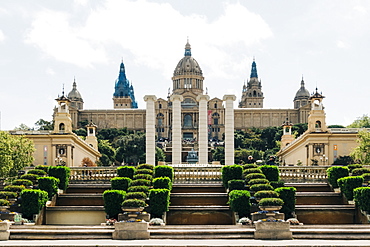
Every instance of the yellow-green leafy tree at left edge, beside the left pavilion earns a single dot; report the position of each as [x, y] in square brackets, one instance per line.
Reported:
[15, 153]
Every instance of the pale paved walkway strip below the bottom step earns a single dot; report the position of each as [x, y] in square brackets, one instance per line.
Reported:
[187, 243]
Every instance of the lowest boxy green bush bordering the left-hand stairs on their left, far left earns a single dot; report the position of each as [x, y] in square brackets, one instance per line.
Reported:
[32, 202]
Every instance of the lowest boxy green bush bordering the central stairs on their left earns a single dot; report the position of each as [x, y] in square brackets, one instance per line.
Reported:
[159, 201]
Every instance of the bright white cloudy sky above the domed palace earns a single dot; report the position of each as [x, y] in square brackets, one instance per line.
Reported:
[47, 44]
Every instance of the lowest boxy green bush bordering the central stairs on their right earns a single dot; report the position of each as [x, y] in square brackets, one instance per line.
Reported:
[239, 201]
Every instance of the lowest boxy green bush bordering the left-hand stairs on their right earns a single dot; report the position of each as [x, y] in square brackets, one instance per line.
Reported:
[112, 202]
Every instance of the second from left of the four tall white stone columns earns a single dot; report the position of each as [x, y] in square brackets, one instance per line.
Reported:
[176, 128]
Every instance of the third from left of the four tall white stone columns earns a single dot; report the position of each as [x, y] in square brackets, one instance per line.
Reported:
[203, 129]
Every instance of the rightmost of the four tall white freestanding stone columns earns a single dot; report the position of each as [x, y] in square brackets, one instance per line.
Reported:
[229, 128]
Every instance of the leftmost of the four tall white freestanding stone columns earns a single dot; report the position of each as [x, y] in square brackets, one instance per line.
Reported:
[150, 129]
